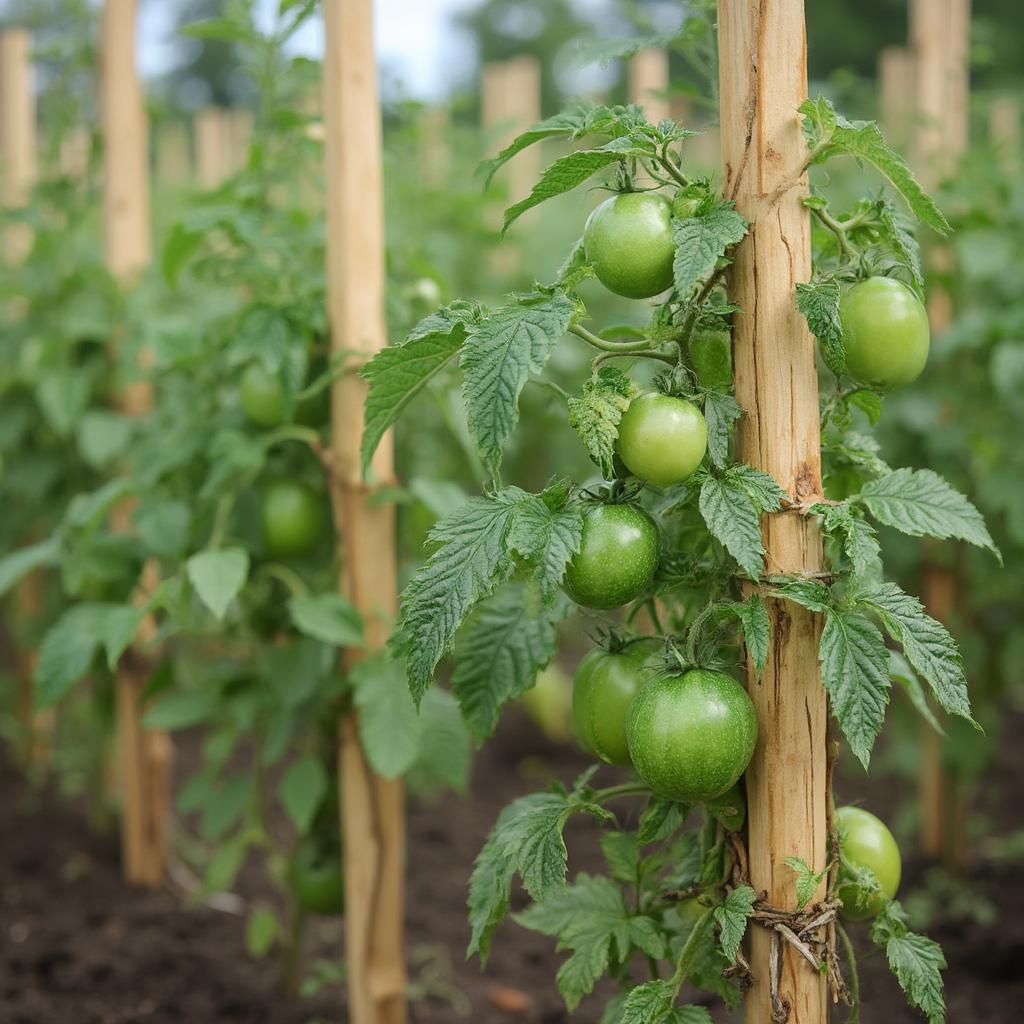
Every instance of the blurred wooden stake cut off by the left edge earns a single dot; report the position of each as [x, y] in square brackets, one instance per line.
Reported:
[18, 136]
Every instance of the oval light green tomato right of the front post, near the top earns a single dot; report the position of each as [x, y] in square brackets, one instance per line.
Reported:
[885, 329]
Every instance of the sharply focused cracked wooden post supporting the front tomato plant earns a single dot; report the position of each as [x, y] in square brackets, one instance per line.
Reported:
[763, 79]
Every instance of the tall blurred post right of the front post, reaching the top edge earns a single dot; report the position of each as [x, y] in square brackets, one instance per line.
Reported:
[938, 32]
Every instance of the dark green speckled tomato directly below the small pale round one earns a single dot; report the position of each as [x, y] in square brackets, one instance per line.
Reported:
[617, 559]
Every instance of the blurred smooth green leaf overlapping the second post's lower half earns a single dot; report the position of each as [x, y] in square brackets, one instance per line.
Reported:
[389, 722]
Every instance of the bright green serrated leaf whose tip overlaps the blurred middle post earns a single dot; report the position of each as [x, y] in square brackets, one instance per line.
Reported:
[399, 374]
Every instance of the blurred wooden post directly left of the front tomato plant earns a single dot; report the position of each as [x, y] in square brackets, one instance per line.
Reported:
[372, 808]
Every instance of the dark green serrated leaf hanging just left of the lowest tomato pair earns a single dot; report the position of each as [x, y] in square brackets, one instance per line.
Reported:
[508, 642]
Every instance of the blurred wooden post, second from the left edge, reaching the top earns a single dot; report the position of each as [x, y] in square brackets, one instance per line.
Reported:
[145, 755]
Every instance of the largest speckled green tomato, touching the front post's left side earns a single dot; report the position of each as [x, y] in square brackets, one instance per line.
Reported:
[692, 735]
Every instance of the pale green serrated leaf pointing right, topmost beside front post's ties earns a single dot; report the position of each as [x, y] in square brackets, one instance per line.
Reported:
[920, 503]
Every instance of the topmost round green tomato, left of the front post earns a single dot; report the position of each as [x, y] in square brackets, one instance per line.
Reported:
[628, 239]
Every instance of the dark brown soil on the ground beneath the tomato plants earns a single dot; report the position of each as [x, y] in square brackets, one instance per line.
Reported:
[80, 948]
